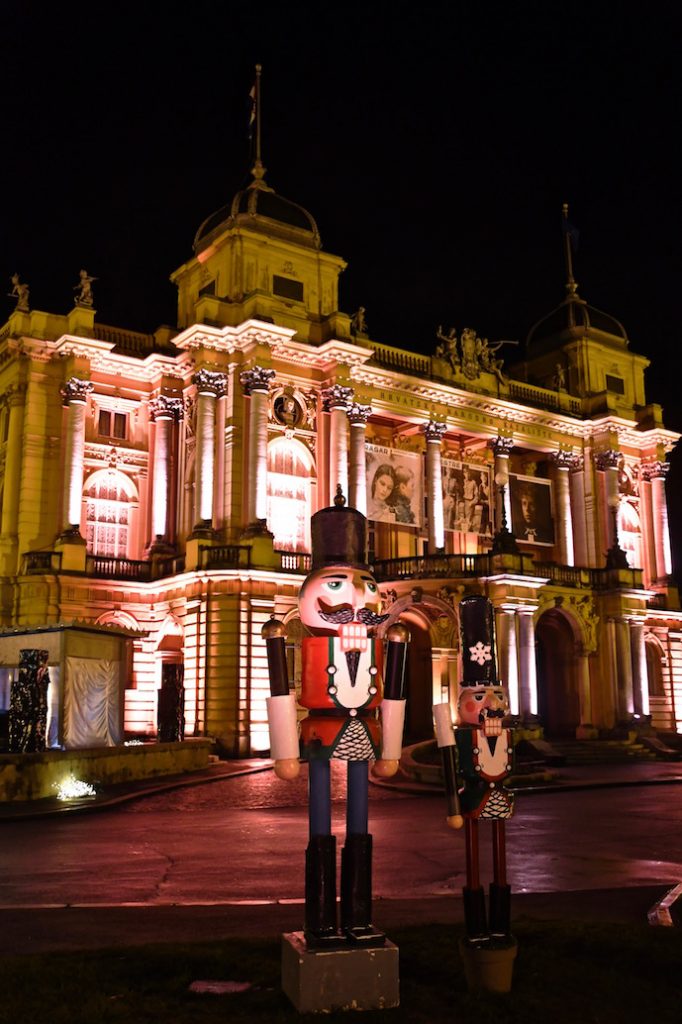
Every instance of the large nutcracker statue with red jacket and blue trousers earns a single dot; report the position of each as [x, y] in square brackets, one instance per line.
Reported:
[349, 677]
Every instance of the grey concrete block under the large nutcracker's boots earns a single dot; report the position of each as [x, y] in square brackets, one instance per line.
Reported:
[342, 979]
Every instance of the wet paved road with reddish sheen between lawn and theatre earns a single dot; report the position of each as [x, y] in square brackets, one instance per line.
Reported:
[243, 840]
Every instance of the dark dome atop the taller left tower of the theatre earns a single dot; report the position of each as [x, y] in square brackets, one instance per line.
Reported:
[261, 207]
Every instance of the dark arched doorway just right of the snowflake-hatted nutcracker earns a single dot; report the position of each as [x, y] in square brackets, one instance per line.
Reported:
[559, 701]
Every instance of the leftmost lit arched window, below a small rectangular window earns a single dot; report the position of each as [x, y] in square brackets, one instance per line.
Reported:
[109, 498]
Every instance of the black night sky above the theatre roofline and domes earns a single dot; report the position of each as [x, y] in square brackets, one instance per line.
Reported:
[435, 145]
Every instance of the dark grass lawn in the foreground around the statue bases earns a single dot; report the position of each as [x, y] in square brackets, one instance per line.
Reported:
[567, 973]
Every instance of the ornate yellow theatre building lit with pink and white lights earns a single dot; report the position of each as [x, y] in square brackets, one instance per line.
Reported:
[163, 486]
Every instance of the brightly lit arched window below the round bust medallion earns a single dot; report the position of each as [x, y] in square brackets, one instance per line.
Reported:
[289, 492]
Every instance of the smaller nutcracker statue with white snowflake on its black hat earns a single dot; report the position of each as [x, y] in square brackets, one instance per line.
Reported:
[478, 762]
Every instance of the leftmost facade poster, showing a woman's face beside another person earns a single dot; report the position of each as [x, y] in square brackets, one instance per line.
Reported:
[395, 491]
